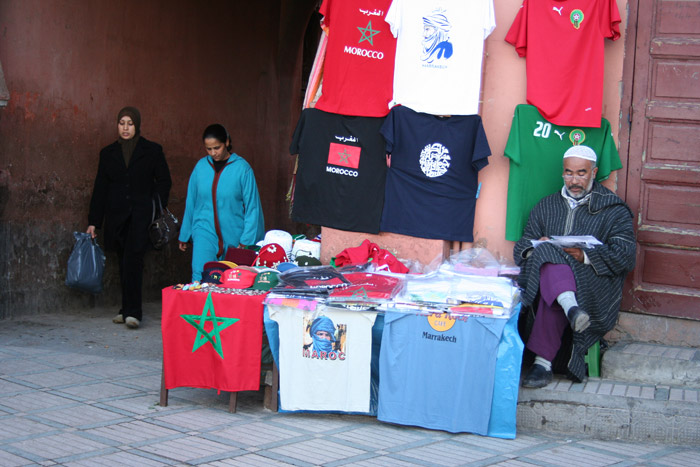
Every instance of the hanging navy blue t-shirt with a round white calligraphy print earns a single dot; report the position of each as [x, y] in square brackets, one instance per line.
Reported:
[432, 182]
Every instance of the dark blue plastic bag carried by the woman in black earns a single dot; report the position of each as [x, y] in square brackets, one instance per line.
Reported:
[86, 264]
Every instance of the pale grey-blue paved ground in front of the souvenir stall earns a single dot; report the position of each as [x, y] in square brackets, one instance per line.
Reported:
[82, 408]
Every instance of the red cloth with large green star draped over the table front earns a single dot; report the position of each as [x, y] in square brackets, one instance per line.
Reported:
[212, 340]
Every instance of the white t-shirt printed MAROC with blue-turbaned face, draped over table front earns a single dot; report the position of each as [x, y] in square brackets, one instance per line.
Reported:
[324, 358]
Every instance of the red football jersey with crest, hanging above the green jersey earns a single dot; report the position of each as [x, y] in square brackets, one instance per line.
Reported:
[563, 41]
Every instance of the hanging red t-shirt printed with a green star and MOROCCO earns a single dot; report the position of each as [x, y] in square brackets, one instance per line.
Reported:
[358, 70]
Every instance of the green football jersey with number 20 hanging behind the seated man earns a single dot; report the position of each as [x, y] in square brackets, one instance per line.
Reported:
[536, 148]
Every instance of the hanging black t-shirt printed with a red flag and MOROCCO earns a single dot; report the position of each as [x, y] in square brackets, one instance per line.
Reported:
[341, 173]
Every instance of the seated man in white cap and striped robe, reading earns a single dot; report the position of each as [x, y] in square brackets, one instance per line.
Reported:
[577, 287]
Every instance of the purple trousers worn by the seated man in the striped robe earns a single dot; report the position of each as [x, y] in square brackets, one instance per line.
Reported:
[550, 320]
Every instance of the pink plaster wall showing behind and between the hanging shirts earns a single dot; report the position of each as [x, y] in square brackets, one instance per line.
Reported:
[503, 88]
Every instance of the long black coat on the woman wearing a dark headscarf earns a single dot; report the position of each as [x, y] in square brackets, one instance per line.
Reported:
[122, 196]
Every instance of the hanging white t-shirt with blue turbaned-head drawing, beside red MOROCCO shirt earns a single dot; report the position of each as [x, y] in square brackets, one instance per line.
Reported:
[439, 53]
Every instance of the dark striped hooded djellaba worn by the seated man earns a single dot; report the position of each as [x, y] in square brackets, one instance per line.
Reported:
[599, 285]
